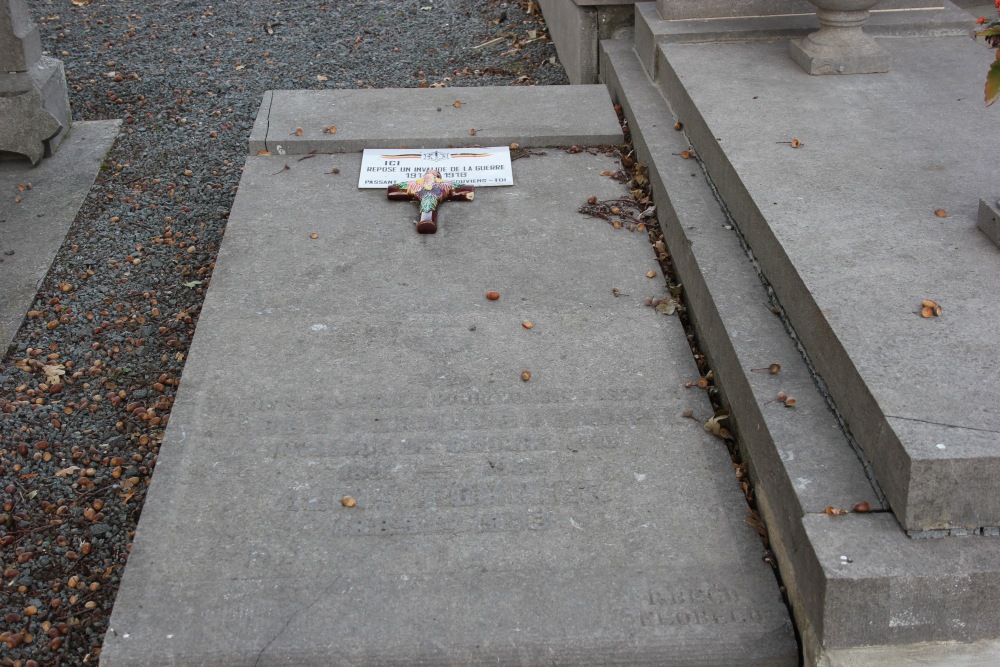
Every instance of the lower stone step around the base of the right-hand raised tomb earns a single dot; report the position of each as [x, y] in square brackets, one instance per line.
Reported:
[862, 591]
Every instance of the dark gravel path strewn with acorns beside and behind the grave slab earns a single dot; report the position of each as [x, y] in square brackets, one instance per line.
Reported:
[87, 387]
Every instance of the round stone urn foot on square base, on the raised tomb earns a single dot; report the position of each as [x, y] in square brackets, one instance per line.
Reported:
[840, 46]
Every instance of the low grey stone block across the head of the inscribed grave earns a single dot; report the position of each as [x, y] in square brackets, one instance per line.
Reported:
[416, 118]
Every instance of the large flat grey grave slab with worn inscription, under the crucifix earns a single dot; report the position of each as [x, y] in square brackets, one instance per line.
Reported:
[575, 518]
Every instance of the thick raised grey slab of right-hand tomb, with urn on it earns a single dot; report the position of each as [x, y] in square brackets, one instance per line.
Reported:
[845, 229]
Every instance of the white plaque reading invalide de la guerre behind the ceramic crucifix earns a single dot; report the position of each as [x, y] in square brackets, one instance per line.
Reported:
[481, 167]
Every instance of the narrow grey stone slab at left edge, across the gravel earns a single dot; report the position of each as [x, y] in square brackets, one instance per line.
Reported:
[33, 229]
